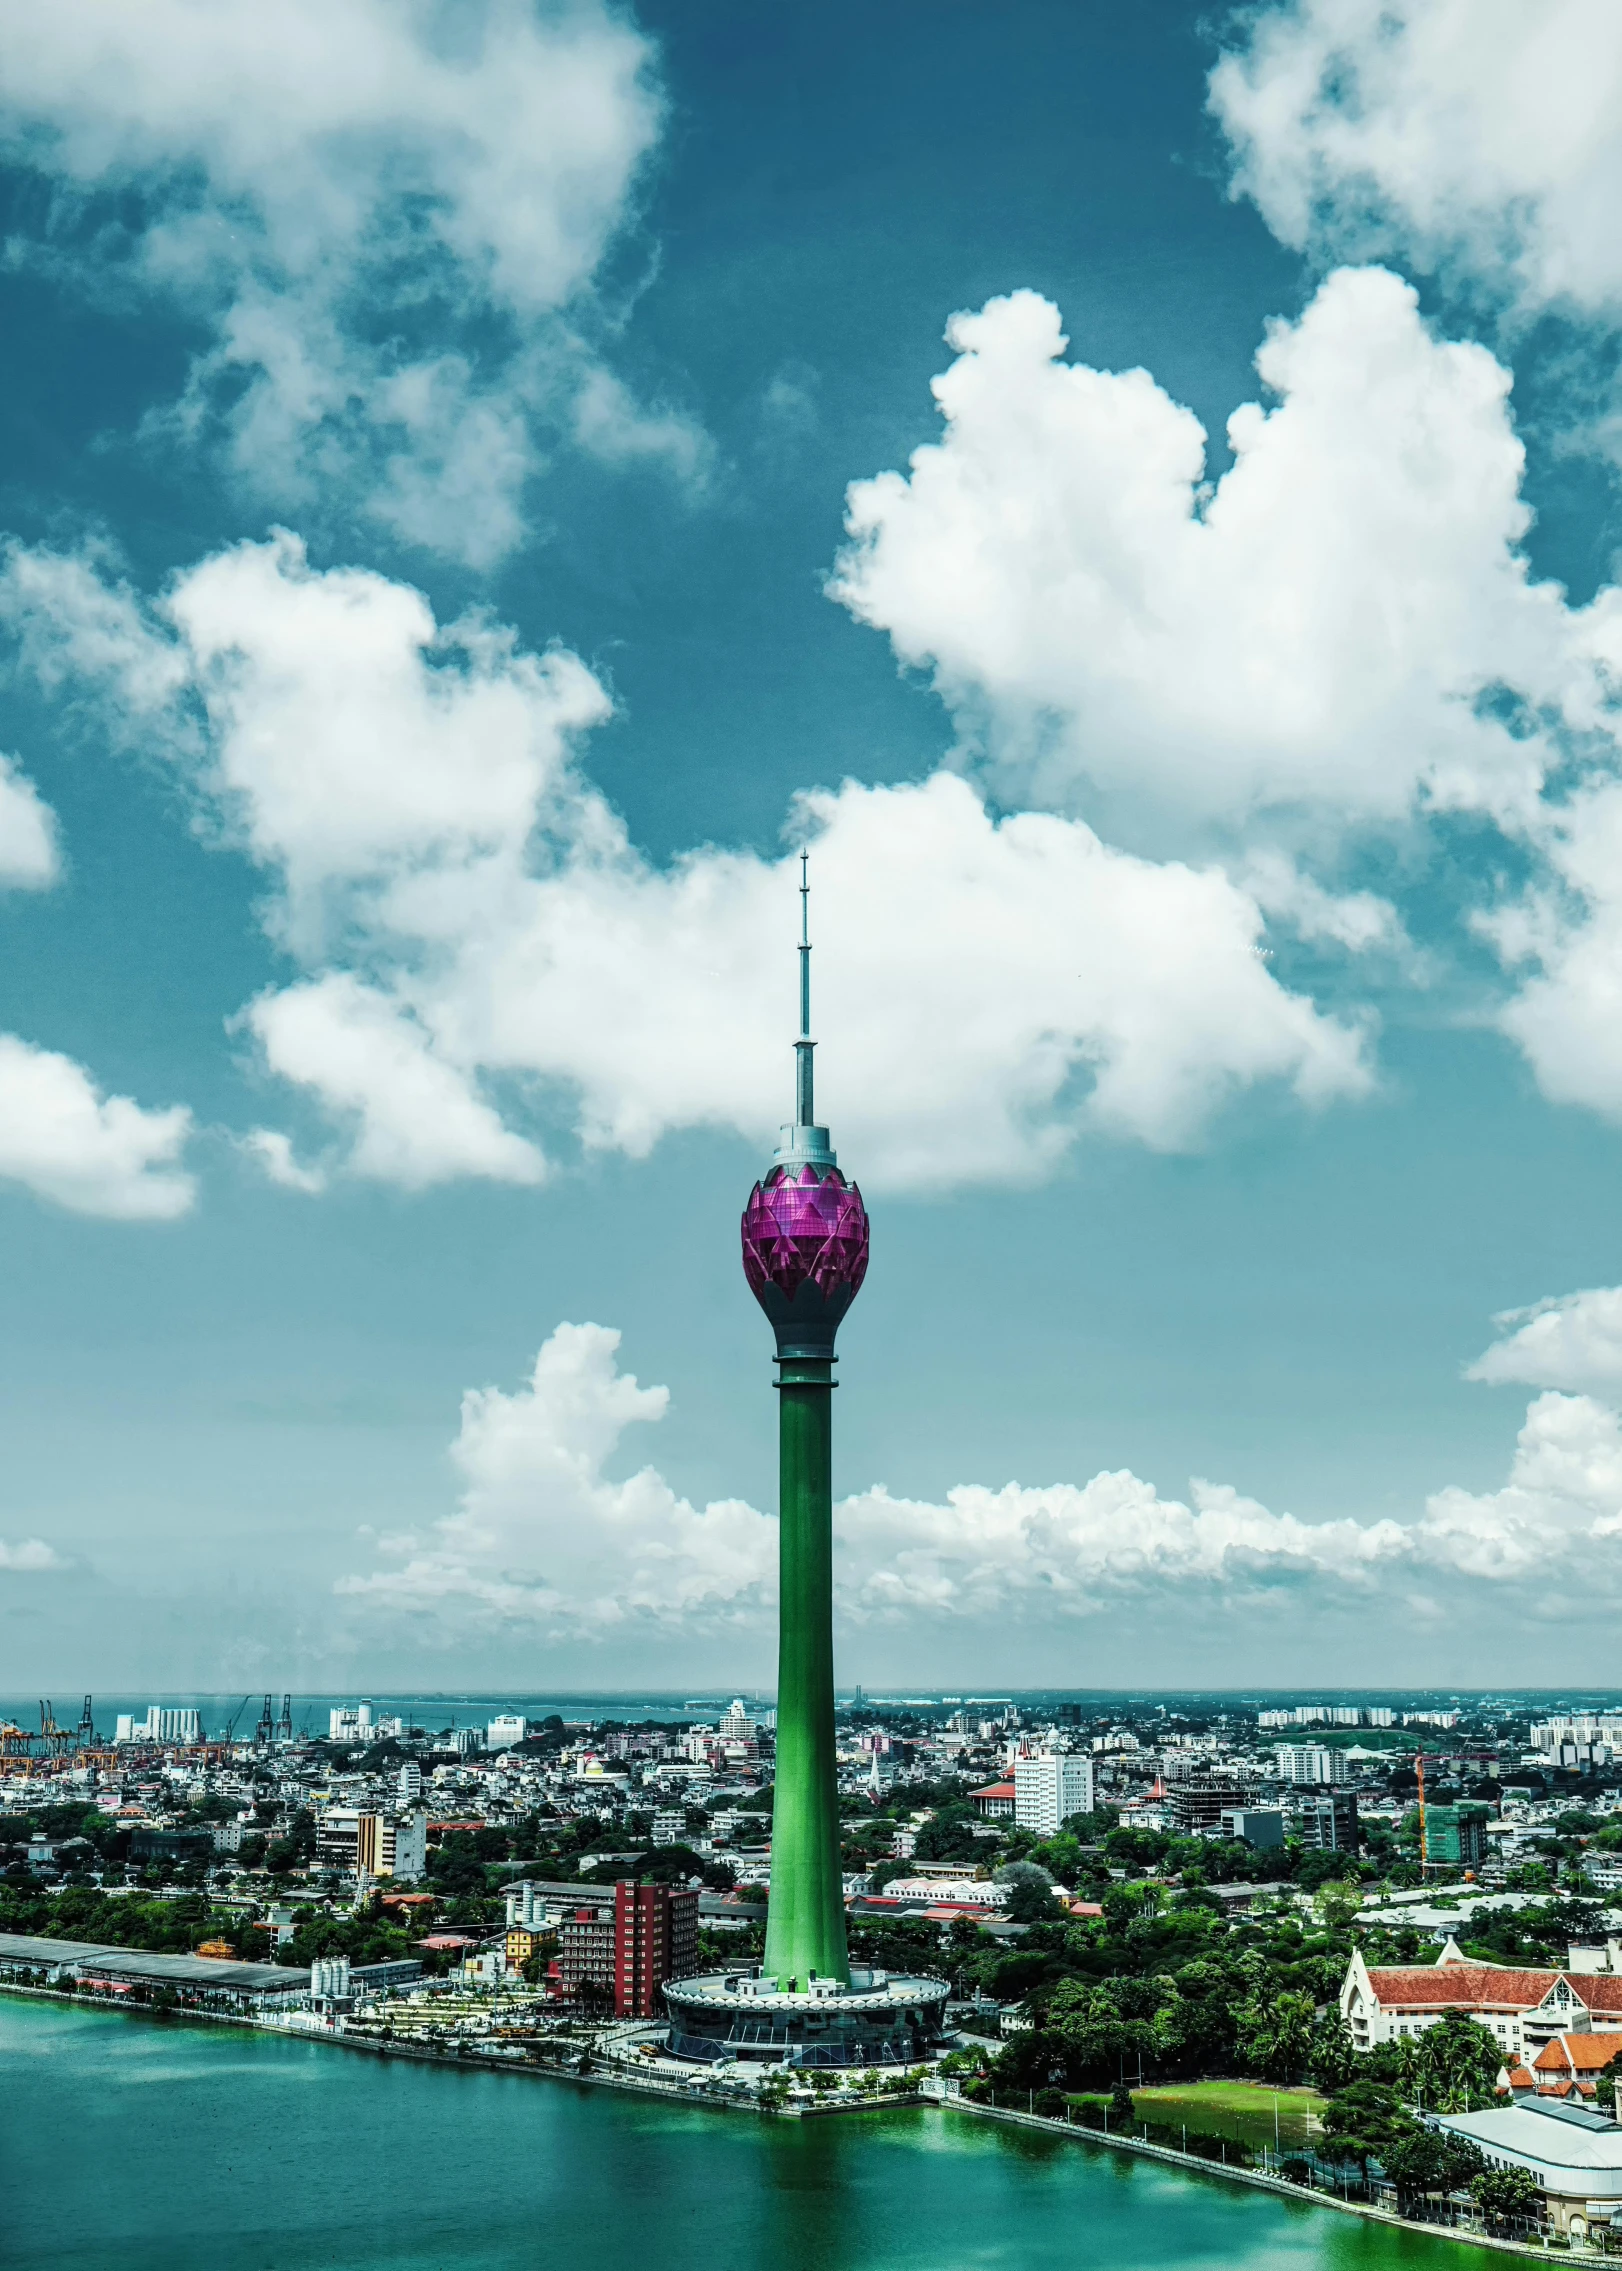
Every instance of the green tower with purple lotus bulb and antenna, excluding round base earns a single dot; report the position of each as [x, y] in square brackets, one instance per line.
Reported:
[805, 1255]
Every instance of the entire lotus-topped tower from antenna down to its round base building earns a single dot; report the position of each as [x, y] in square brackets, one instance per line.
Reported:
[805, 1255]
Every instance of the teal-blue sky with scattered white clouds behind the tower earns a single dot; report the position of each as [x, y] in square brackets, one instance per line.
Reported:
[1137, 496]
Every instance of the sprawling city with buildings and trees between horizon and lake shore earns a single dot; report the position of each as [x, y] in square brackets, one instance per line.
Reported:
[1114, 1891]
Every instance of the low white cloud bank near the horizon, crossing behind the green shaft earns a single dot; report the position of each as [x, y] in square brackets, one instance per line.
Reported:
[544, 1539]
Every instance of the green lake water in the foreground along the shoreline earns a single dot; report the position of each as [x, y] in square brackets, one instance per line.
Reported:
[167, 2147]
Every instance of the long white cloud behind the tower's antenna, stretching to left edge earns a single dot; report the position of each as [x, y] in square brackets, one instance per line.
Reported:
[487, 957]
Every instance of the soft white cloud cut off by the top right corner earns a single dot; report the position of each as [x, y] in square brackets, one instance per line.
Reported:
[1466, 135]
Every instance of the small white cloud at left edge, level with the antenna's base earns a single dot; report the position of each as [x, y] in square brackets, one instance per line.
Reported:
[87, 1153]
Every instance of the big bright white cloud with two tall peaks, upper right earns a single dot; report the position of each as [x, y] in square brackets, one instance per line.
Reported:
[1110, 626]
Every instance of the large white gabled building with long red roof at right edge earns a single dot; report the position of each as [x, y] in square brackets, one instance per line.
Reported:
[1523, 2011]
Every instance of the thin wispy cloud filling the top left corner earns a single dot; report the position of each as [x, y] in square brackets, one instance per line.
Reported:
[385, 215]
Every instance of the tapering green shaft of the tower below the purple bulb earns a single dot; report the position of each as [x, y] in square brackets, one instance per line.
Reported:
[805, 1929]
